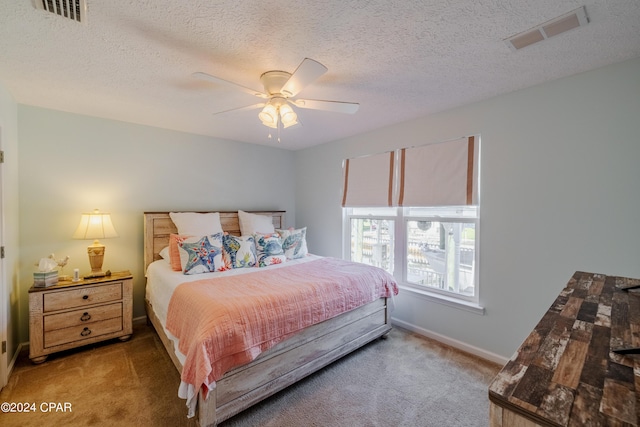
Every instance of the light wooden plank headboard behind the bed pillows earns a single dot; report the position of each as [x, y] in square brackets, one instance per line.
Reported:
[158, 226]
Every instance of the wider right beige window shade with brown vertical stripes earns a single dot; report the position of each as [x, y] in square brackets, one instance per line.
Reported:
[438, 174]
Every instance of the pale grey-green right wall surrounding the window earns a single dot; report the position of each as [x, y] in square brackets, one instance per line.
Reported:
[560, 192]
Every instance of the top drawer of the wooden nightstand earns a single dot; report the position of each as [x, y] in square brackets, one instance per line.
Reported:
[82, 296]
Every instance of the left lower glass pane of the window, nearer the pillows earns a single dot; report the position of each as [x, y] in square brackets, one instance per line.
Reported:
[372, 242]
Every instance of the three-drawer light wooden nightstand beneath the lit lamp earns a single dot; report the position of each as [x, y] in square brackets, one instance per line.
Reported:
[73, 314]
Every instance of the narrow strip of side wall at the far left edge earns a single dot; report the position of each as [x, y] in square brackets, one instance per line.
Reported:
[9, 233]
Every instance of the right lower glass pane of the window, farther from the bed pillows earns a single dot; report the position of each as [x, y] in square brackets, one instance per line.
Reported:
[441, 255]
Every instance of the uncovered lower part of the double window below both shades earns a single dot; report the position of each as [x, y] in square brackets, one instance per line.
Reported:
[432, 249]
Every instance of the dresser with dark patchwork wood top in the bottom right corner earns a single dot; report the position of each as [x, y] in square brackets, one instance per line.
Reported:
[565, 373]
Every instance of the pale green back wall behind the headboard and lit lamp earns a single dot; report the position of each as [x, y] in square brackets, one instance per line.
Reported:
[71, 164]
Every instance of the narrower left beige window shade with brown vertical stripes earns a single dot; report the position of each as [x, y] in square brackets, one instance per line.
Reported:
[368, 181]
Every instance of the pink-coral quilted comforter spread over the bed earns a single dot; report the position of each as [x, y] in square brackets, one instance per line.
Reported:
[228, 321]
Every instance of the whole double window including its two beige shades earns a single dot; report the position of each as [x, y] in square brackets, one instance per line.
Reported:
[414, 212]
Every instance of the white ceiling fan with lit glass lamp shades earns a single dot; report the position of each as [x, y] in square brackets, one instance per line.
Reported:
[280, 90]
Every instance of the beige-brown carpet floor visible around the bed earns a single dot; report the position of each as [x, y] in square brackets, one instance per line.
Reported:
[405, 380]
